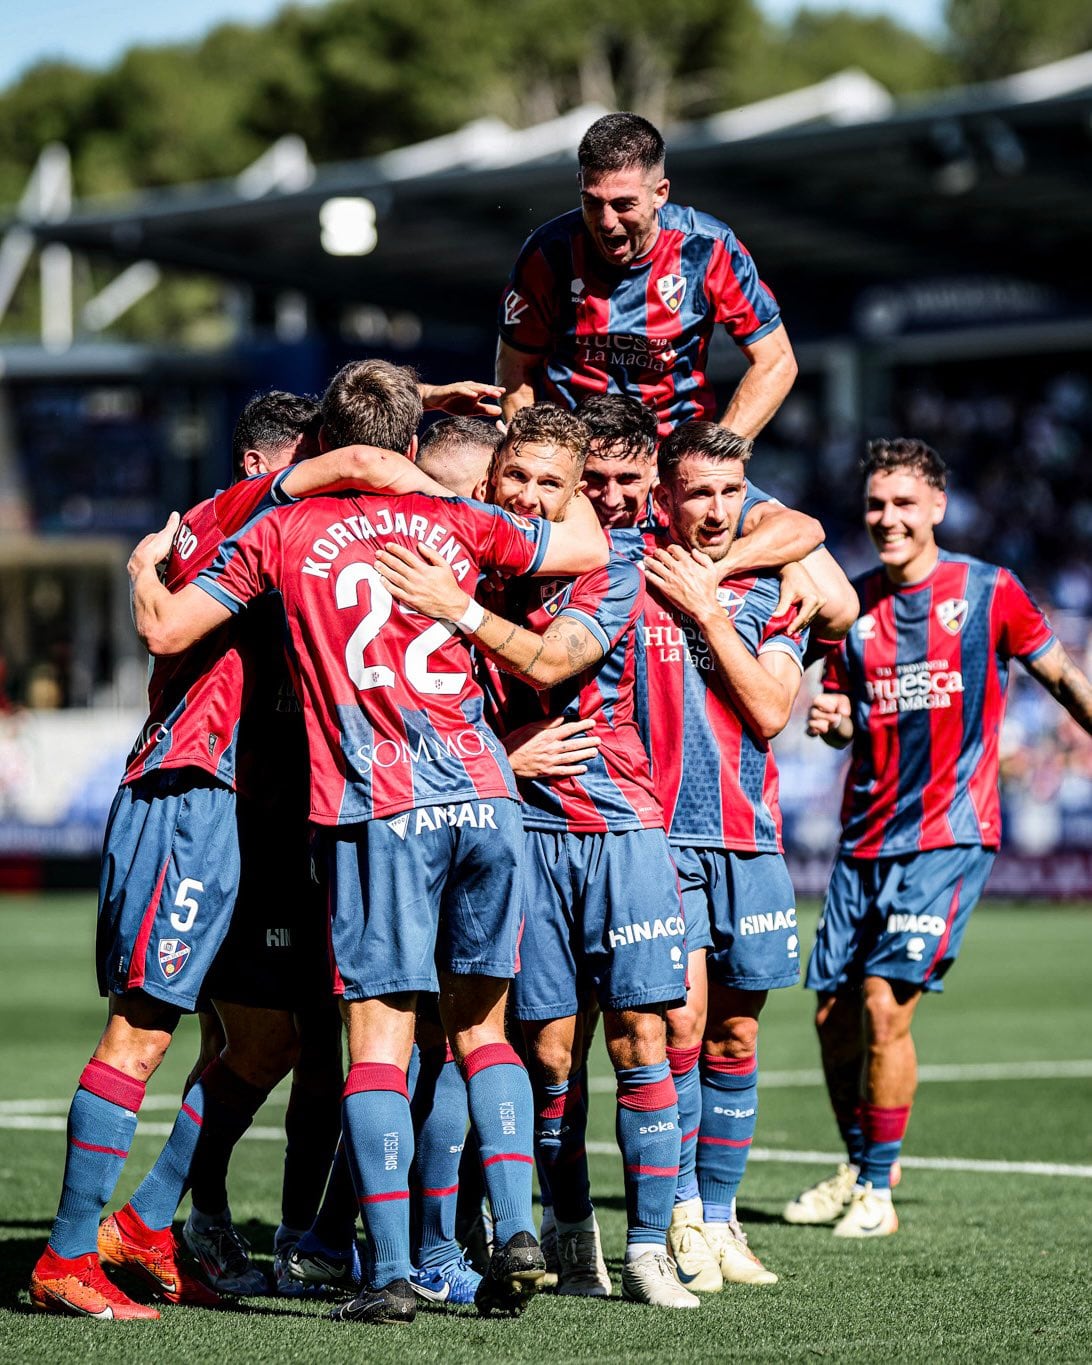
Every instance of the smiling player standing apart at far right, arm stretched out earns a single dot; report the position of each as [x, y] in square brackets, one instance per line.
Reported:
[918, 690]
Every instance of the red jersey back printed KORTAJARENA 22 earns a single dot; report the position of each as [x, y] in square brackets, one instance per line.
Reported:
[394, 715]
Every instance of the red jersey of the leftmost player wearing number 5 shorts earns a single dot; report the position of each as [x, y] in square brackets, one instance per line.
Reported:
[196, 698]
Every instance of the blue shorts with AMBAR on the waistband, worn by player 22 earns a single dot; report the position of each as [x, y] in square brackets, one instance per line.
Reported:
[433, 888]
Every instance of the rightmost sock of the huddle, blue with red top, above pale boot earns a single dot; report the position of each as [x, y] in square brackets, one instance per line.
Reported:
[730, 1112]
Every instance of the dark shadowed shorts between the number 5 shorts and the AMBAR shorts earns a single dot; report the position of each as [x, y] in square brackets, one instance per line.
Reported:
[276, 955]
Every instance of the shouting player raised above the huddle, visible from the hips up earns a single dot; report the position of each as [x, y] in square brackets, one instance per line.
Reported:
[623, 294]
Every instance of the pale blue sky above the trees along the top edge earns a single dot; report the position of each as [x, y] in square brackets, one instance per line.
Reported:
[96, 32]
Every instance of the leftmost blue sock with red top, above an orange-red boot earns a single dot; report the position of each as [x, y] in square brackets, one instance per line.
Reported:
[102, 1123]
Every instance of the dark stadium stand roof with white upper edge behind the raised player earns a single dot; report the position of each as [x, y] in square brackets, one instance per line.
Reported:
[836, 188]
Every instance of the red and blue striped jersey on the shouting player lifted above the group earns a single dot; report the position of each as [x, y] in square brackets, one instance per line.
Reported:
[641, 330]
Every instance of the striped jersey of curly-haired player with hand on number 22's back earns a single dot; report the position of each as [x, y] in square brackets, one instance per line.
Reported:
[616, 794]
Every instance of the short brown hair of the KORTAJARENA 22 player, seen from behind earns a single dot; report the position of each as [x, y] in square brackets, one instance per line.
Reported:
[372, 403]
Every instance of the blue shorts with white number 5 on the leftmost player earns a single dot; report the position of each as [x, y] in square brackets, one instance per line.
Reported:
[170, 876]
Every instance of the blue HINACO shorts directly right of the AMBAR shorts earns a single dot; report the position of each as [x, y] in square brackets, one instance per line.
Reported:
[601, 913]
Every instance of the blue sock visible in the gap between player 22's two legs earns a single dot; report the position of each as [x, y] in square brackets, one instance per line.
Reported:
[440, 1130]
